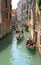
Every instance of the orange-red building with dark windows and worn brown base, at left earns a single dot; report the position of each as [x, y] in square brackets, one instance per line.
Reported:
[5, 17]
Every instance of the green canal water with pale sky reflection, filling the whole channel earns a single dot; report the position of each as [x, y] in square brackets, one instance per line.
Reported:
[13, 52]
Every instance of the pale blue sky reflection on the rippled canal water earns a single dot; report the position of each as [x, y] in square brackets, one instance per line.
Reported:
[19, 57]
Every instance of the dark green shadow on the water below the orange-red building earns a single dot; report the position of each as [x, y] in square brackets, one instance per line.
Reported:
[6, 41]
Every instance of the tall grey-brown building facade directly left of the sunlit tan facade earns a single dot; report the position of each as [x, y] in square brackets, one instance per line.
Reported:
[25, 12]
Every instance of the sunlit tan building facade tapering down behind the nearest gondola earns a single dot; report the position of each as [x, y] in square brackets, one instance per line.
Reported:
[32, 17]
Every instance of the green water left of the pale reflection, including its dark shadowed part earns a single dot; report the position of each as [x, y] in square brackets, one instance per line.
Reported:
[5, 47]
